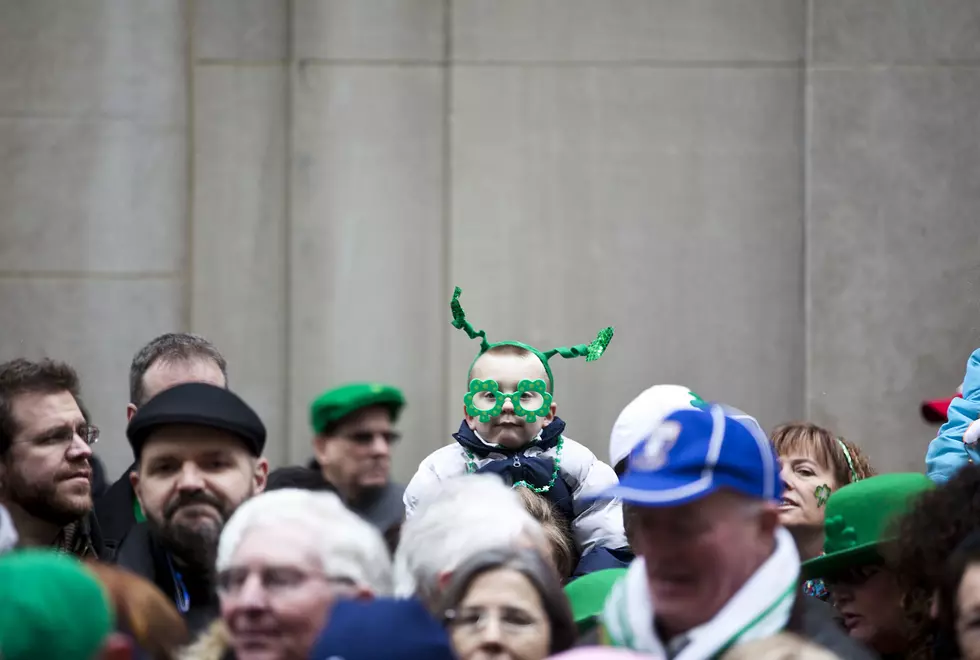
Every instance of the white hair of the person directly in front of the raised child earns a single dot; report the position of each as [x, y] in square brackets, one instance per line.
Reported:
[464, 517]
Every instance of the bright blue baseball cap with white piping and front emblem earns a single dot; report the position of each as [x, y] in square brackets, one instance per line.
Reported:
[694, 453]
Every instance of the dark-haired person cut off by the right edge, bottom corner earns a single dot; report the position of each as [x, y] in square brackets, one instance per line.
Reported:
[959, 600]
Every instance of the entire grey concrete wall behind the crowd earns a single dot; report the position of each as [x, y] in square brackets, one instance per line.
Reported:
[771, 200]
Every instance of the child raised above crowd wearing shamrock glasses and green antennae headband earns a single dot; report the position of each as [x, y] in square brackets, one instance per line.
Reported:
[511, 427]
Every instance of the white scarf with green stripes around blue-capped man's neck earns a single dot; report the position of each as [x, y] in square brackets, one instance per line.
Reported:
[760, 609]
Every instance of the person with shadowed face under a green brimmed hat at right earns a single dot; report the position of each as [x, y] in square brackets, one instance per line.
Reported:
[859, 526]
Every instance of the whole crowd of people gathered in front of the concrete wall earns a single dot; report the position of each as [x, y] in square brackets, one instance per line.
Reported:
[699, 535]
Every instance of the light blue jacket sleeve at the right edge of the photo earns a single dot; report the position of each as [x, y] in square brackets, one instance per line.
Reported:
[948, 453]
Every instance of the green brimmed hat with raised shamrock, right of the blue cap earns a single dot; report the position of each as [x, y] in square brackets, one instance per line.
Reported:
[860, 517]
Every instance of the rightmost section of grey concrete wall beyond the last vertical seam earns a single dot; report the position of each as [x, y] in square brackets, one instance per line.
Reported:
[893, 215]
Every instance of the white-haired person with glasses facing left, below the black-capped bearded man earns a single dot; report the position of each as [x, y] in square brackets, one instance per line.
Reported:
[284, 558]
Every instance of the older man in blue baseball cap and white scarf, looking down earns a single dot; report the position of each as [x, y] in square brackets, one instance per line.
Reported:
[714, 569]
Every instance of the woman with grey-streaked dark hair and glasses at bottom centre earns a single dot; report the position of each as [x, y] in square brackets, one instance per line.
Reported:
[509, 604]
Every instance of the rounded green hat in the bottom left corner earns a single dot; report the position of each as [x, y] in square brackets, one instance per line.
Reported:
[52, 607]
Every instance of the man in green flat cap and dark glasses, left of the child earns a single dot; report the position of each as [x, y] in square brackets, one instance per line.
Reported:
[354, 431]
